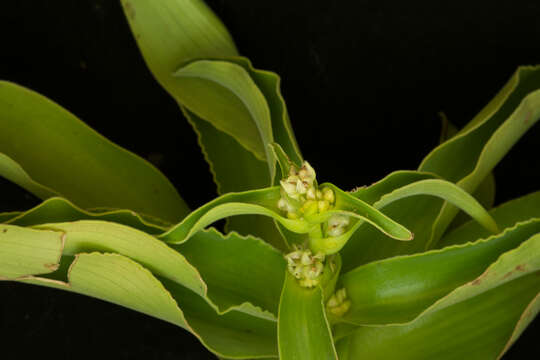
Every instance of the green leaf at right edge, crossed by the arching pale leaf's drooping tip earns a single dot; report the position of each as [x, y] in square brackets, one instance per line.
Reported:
[506, 215]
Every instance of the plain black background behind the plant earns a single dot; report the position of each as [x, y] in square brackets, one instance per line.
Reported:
[363, 80]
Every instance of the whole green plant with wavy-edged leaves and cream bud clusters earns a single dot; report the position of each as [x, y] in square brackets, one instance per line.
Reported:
[305, 270]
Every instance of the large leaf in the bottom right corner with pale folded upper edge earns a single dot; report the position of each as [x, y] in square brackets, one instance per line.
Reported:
[475, 321]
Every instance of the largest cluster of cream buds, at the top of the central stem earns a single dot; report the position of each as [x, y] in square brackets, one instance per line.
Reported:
[300, 195]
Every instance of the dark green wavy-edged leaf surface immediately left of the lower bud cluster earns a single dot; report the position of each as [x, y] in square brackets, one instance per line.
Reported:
[223, 260]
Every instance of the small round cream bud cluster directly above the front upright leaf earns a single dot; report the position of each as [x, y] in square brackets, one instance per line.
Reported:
[305, 266]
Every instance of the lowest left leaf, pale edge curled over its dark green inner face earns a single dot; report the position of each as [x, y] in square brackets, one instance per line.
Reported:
[120, 280]
